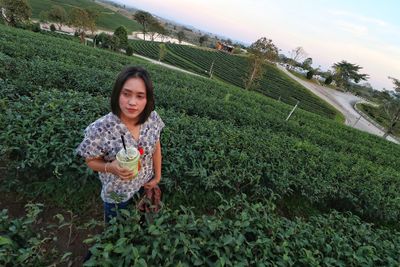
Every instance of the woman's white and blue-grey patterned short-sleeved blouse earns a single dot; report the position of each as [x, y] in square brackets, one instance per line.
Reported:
[103, 139]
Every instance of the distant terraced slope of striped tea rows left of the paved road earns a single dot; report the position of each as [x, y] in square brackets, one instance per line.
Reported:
[233, 69]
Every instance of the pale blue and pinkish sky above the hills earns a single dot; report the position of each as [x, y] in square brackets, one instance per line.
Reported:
[366, 33]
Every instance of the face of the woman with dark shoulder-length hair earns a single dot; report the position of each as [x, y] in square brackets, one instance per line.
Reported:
[132, 99]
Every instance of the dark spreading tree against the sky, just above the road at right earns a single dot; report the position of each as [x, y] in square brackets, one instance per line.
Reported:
[345, 73]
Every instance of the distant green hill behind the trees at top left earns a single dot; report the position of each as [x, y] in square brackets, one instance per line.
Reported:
[108, 19]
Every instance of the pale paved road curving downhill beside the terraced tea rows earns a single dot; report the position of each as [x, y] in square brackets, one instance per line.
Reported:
[344, 102]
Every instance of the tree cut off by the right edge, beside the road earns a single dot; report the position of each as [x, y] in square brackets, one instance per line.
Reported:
[392, 107]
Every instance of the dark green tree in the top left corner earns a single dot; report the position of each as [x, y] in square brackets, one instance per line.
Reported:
[15, 12]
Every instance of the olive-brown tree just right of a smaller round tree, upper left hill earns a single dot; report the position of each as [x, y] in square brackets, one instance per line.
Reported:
[83, 20]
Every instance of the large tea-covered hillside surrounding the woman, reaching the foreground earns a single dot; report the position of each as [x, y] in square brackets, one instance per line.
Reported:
[240, 185]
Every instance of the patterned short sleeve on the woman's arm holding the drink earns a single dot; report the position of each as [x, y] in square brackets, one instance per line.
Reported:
[92, 145]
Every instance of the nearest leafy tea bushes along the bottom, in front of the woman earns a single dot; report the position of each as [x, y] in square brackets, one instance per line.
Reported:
[243, 234]
